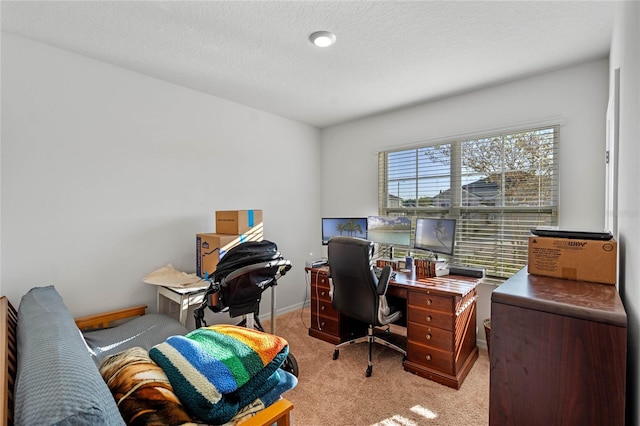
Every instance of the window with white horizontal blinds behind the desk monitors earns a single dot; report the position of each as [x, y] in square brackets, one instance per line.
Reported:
[496, 187]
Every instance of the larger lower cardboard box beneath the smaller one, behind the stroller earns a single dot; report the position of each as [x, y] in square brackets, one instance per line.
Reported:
[211, 248]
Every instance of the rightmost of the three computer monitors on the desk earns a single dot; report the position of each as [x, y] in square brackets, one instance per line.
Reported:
[435, 235]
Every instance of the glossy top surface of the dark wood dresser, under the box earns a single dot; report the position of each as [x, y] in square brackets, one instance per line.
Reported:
[578, 299]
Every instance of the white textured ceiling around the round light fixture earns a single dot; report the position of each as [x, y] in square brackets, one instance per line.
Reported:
[388, 54]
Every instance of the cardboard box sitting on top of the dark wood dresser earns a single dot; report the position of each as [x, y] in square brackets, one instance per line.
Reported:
[584, 260]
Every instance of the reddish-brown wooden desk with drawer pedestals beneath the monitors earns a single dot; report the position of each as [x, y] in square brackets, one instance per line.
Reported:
[441, 322]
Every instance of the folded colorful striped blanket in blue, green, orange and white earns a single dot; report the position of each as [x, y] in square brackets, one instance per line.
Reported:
[217, 370]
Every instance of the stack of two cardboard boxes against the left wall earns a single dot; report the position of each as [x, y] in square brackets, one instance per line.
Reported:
[232, 228]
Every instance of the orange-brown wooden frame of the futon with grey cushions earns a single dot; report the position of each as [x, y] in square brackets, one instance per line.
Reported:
[278, 413]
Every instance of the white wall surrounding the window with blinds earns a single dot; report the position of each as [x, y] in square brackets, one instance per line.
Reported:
[577, 94]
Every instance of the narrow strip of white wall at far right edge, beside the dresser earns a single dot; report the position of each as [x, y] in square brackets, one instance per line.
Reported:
[625, 55]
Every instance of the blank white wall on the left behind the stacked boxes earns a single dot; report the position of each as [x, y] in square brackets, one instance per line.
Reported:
[108, 174]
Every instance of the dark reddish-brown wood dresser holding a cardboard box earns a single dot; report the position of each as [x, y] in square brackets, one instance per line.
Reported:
[558, 353]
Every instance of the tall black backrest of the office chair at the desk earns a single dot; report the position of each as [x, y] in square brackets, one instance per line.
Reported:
[354, 282]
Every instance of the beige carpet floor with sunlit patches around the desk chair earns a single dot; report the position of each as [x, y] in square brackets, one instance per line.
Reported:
[338, 393]
